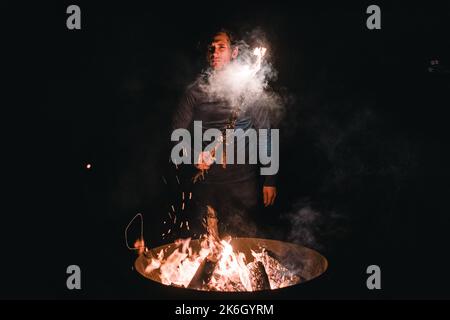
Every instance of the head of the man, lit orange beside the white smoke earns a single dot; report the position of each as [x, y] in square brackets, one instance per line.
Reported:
[221, 50]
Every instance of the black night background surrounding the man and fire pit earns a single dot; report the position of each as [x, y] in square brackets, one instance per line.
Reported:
[363, 161]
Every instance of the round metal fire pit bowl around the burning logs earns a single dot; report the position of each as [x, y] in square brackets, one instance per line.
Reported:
[304, 262]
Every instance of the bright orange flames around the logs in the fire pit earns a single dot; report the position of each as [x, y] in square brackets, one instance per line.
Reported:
[232, 271]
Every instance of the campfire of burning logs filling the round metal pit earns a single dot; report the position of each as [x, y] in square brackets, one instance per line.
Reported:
[232, 264]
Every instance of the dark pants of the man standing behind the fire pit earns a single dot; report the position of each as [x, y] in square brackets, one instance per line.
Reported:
[236, 205]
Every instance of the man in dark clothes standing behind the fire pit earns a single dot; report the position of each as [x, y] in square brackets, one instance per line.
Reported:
[234, 191]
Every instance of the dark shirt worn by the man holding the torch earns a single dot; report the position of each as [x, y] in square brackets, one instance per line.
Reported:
[197, 105]
